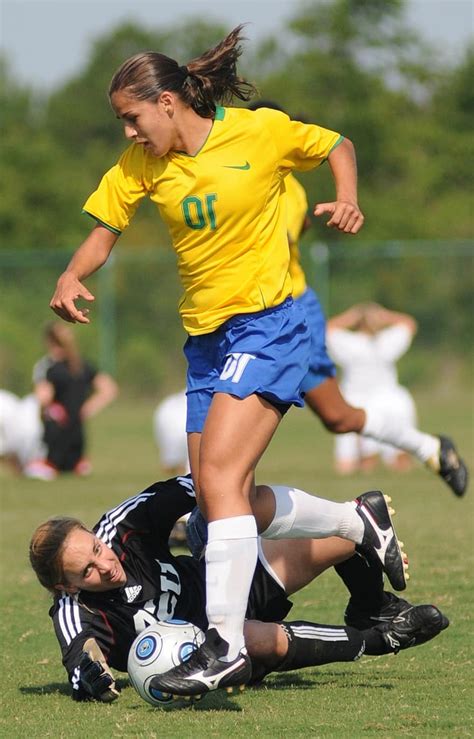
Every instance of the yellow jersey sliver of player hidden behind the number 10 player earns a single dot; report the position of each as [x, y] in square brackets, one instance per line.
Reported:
[297, 208]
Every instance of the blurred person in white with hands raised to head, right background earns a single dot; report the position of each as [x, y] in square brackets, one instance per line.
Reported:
[366, 341]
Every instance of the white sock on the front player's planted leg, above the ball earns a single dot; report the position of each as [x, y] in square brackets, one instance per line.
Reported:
[231, 557]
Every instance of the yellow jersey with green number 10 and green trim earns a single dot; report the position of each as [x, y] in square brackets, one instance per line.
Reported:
[223, 207]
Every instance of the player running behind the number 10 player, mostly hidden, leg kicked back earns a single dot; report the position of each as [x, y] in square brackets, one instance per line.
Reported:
[322, 392]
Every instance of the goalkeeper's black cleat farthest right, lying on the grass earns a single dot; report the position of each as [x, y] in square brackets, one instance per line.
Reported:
[416, 625]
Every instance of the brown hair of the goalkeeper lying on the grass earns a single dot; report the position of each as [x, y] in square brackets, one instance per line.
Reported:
[46, 548]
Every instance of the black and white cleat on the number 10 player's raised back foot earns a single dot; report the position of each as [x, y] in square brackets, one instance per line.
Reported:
[380, 541]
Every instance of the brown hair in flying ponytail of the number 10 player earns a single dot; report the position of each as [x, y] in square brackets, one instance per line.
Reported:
[209, 79]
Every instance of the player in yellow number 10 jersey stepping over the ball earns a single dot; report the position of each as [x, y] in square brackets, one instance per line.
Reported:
[217, 177]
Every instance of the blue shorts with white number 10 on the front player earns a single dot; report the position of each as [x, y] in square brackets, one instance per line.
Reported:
[265, 353]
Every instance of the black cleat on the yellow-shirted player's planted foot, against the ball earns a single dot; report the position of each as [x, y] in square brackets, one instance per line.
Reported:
[205, 670]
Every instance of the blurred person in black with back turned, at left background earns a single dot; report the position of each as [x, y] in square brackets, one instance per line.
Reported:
[70, 391]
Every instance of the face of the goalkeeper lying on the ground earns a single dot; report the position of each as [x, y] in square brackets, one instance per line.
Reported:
[88, 564]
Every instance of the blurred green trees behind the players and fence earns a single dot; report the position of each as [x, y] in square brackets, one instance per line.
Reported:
[350, 65]
